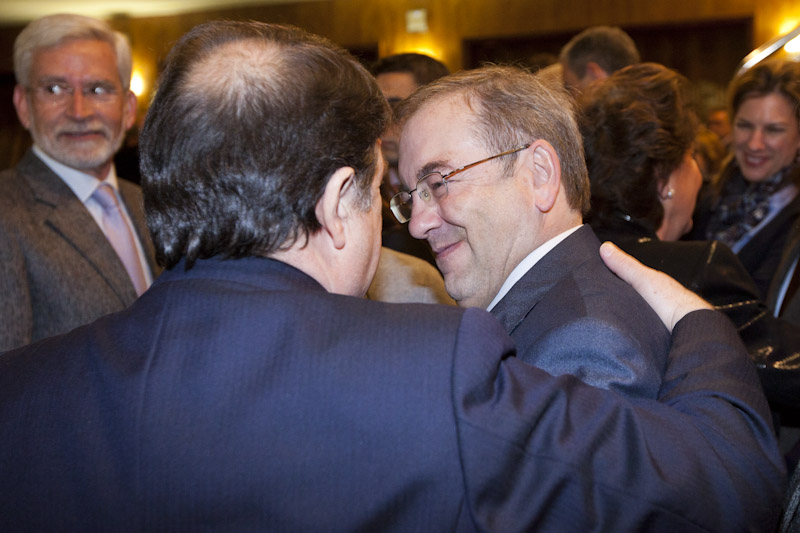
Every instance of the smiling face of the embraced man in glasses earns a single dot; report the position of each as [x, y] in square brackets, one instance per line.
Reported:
[474, 231]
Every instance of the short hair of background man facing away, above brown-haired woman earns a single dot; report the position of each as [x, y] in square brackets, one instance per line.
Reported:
[595, 54]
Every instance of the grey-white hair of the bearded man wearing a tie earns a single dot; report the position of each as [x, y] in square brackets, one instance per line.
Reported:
[55, 29]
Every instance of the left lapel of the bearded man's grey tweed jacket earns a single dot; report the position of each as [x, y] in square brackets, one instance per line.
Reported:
[66, 215]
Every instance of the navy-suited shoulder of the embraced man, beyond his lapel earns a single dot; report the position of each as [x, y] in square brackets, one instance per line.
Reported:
[593, 325]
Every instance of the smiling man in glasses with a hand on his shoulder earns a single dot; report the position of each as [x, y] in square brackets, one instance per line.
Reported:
[497, 185]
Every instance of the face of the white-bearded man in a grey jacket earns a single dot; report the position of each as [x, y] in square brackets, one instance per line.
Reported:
[80, 133]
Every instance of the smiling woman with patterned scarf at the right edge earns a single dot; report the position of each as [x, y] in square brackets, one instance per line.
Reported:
[754, 201]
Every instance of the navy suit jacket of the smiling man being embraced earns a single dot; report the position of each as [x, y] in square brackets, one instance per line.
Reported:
[569, 314]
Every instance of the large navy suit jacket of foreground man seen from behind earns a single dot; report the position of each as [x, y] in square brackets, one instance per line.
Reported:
[240, 396]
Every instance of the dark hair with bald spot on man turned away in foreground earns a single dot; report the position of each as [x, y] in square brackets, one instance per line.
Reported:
[247, 125]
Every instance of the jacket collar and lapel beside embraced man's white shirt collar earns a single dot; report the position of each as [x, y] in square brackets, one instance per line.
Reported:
[549, 270]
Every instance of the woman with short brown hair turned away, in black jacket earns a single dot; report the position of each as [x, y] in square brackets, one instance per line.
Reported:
[638, 133]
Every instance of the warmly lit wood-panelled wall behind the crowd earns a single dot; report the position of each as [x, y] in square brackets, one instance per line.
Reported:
[380, 24]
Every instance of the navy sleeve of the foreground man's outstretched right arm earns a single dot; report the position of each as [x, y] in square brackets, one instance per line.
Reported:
[554, 454]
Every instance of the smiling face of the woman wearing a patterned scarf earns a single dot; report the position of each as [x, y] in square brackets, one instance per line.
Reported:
[766, 137]
